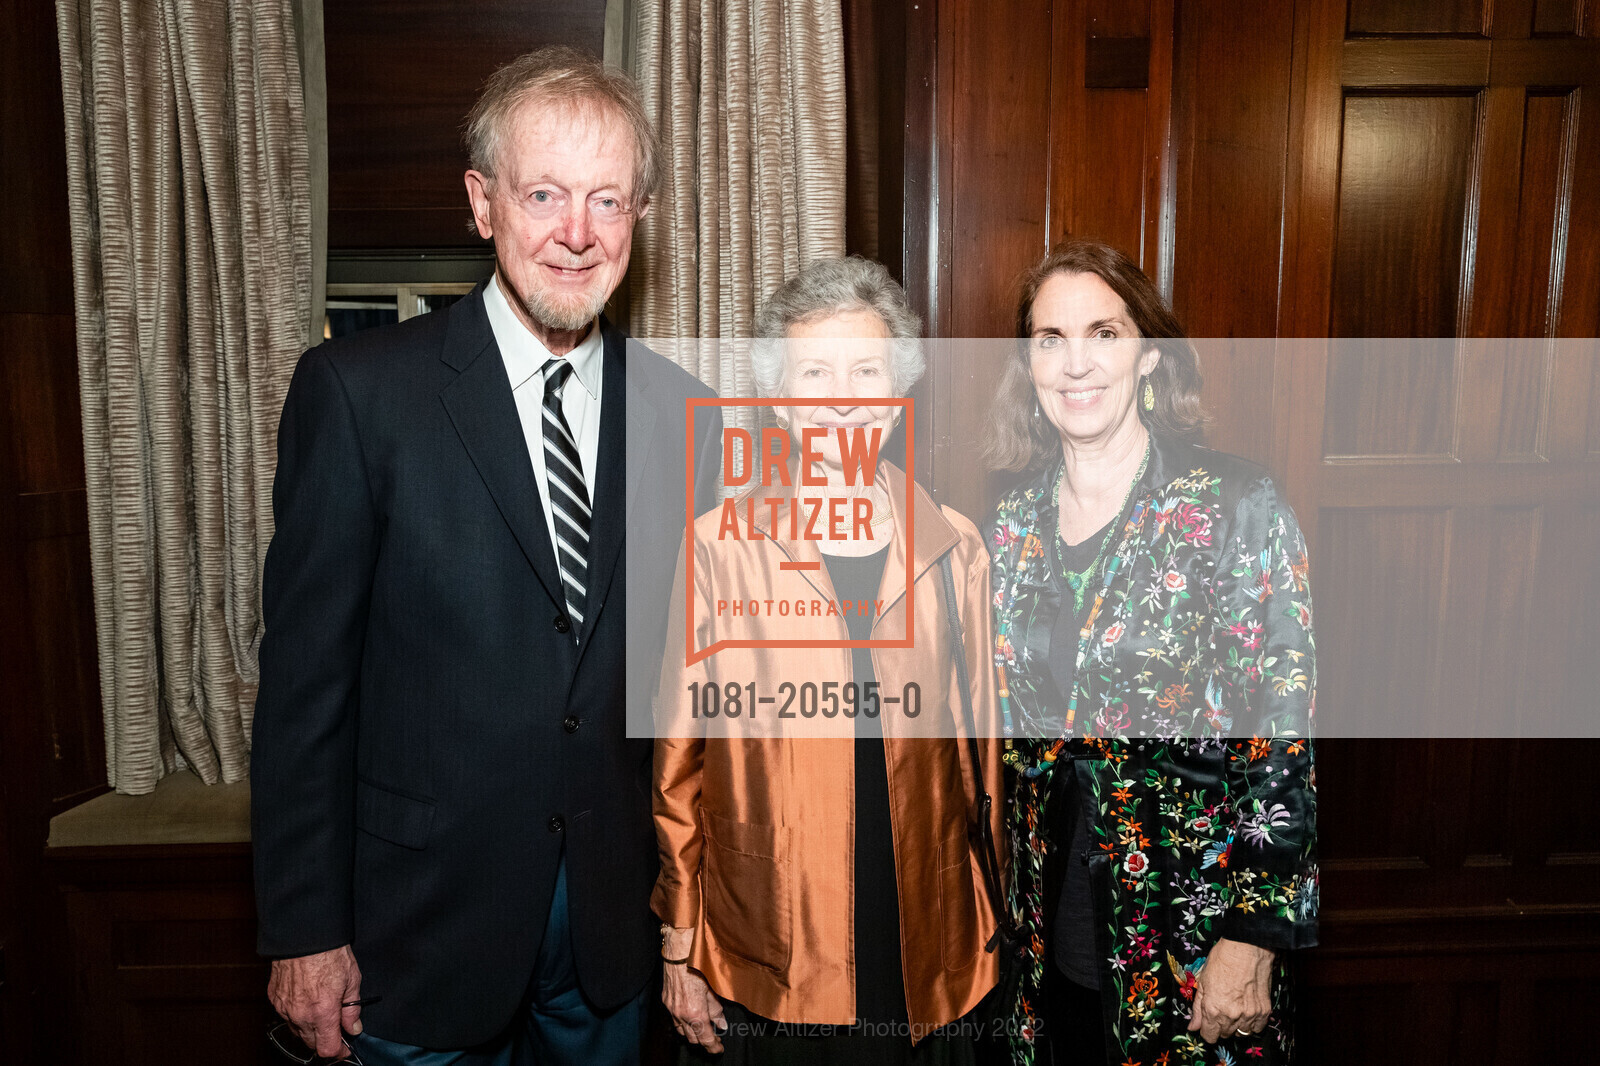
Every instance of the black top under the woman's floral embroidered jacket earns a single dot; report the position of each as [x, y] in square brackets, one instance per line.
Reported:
[1074, 937]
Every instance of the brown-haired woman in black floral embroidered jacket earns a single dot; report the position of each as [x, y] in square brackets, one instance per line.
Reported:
[1158, 668]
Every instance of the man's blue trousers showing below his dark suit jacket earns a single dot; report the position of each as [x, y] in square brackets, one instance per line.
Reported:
[556, 1027]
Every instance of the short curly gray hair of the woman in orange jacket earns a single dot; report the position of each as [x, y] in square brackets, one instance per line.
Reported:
[830, 287]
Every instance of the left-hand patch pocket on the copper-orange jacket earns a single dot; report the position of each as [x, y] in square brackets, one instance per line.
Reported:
[746, 889]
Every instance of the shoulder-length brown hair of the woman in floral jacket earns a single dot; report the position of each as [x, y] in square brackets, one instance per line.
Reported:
[1020, 436]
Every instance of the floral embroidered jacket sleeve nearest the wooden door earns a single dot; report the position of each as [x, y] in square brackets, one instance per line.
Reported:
[1270, 662]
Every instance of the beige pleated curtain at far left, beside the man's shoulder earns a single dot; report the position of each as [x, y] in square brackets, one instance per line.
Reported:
[198, 241]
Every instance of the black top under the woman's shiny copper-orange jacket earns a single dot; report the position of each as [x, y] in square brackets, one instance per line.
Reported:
[881, 980]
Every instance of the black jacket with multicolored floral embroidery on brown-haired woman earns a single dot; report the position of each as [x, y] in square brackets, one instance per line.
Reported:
[1198, 689]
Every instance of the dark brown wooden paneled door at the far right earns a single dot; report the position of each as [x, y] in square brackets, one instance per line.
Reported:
[1446, 183]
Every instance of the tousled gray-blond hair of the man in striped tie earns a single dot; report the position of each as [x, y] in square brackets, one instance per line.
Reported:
[562, 78]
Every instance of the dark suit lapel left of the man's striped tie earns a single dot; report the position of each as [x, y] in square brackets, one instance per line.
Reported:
[484, 411]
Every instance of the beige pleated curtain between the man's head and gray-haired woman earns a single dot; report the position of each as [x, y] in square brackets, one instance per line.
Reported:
[750, 102]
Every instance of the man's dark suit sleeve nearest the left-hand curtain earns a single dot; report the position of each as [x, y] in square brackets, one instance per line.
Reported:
[316, 596]
